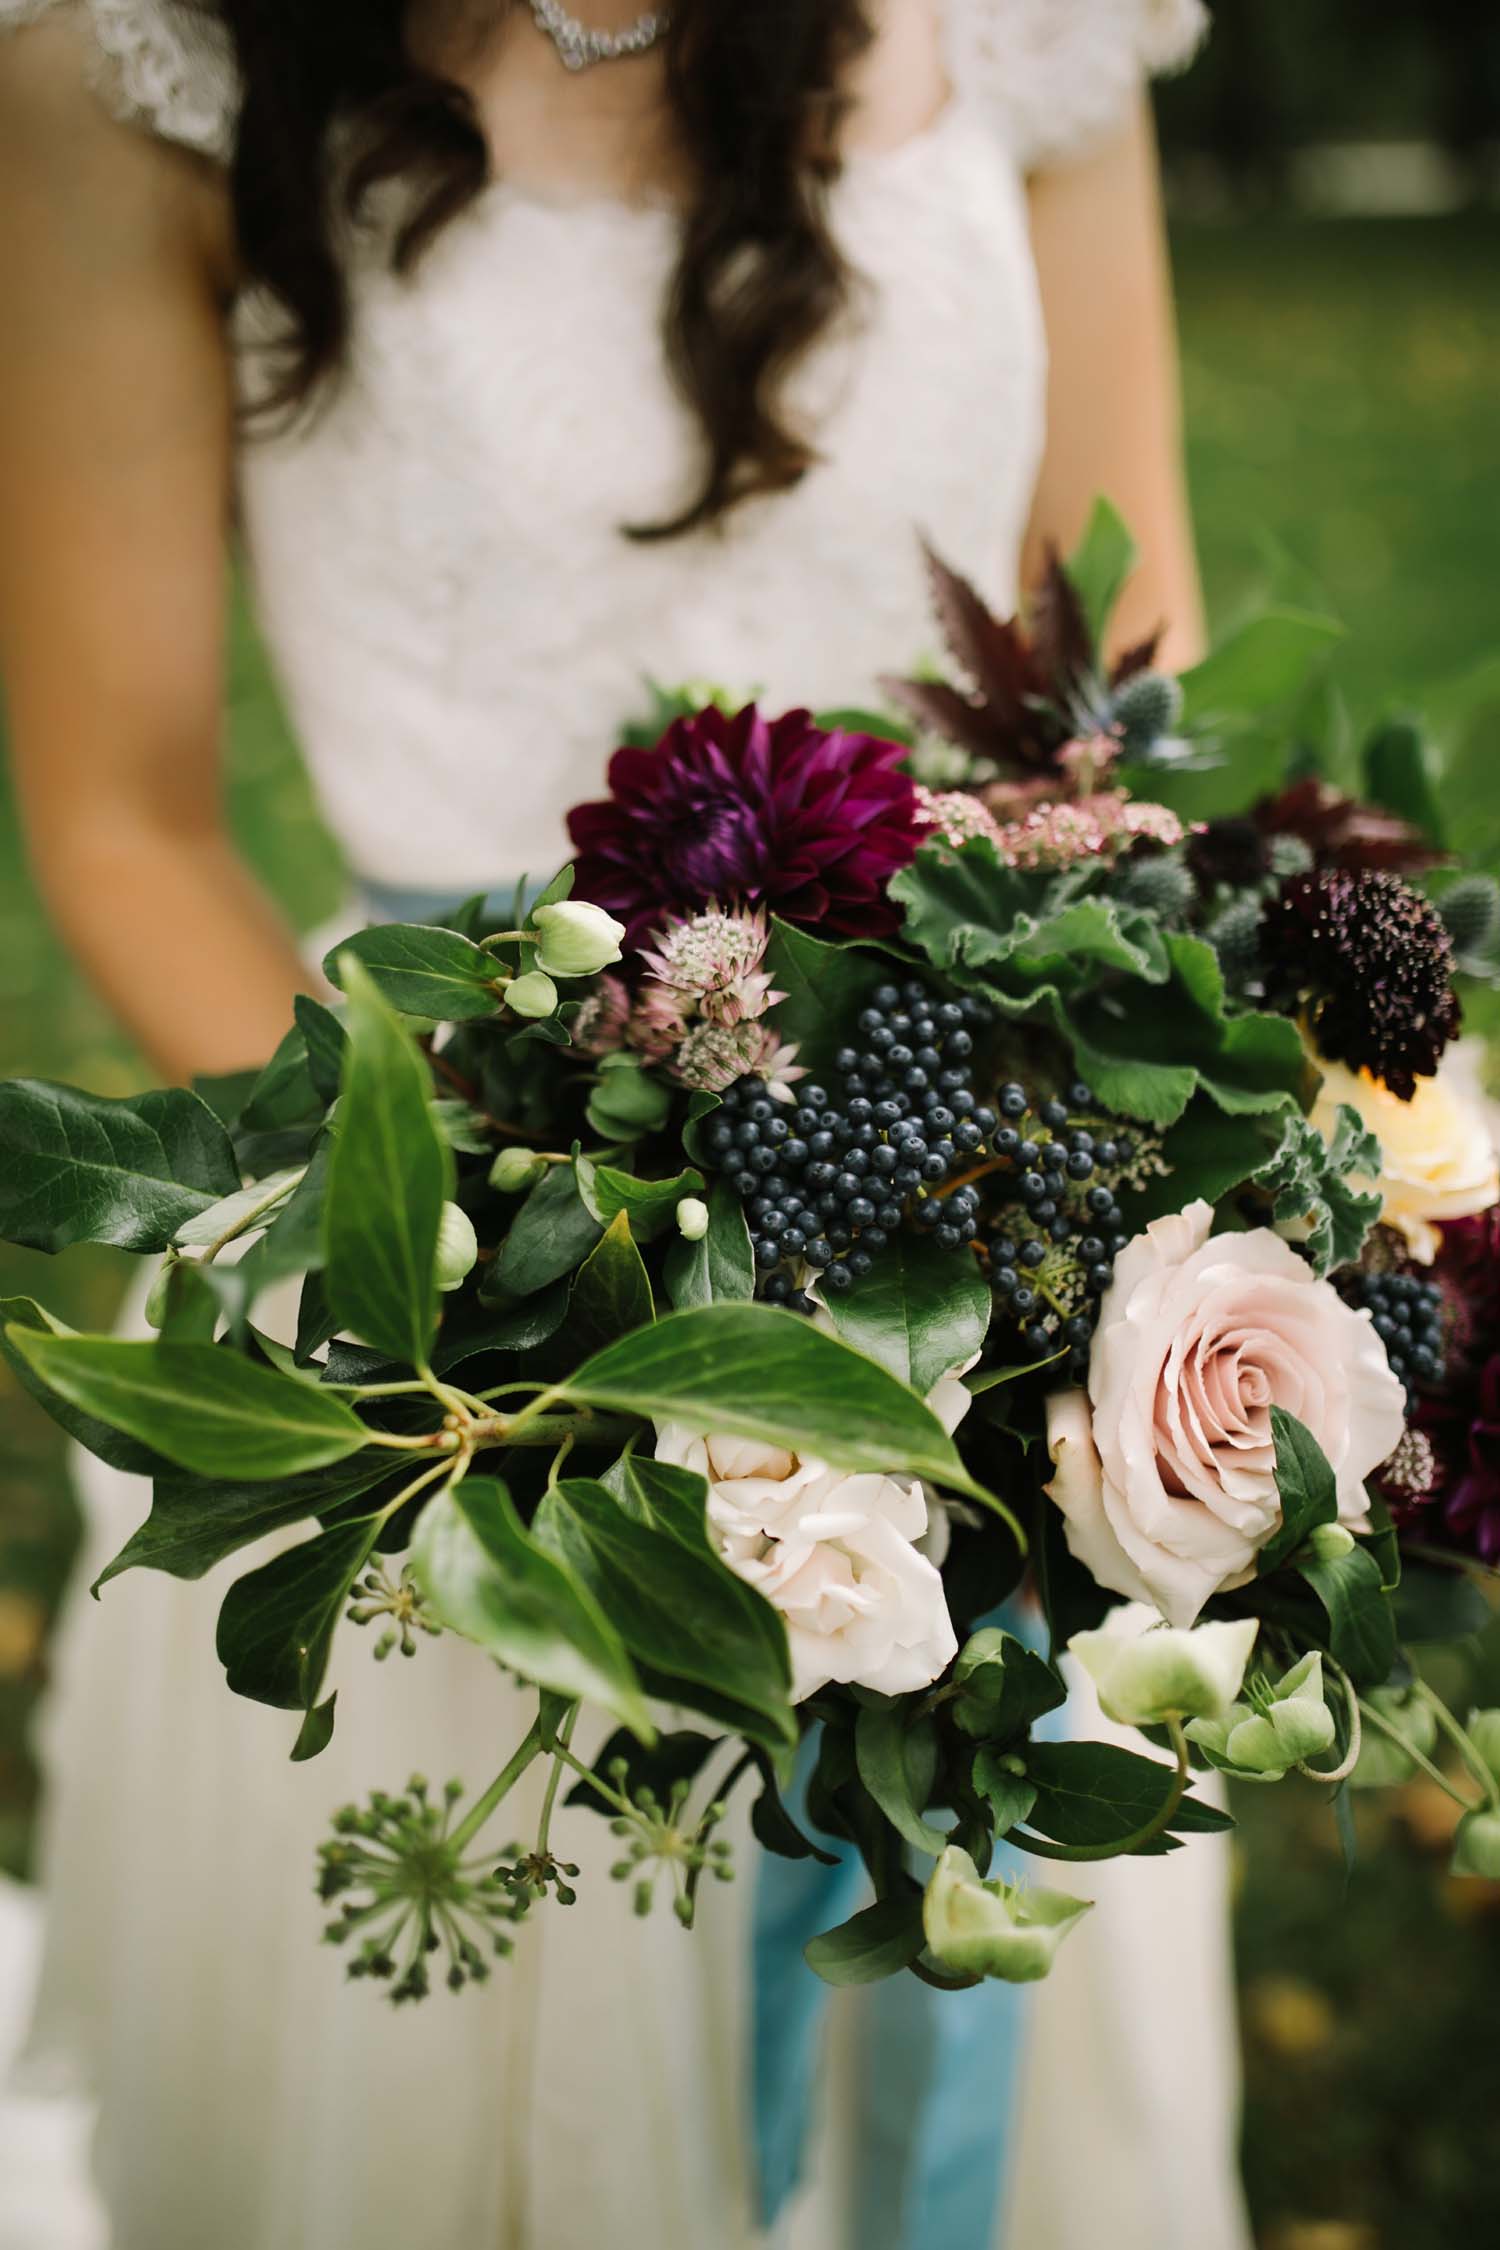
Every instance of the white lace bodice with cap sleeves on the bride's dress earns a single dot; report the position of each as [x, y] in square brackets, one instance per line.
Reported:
[437, 559]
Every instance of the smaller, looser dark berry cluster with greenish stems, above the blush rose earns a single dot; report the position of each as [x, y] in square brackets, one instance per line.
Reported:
[1058, 1227]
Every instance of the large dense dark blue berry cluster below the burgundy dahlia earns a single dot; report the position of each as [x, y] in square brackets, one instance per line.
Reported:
[826, 1180]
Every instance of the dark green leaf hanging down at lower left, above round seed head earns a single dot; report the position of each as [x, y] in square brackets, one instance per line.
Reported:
[278, 1623]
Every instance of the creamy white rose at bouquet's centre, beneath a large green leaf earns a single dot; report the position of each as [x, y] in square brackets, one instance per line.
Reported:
[835, 1554]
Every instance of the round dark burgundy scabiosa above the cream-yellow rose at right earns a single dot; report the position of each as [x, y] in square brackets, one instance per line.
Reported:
[1371, 964]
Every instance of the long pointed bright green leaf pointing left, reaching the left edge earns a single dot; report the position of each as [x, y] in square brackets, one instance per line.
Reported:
[199, 1405]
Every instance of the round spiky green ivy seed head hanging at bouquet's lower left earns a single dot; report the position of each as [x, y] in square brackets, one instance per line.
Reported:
[408, 1891]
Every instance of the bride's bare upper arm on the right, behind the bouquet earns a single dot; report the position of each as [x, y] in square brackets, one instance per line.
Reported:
[1114, 422]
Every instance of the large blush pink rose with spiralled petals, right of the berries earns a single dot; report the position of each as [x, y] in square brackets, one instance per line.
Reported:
[1166, 1466]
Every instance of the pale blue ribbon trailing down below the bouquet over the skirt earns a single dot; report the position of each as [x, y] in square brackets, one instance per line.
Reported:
[939, 2071]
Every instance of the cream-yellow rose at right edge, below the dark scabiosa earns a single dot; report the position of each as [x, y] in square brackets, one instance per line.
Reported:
[1438, 1160]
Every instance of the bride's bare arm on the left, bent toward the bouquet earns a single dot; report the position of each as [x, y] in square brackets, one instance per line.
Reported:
[114, 501]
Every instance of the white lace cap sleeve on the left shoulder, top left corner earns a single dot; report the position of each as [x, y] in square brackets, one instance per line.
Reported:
[161, 64]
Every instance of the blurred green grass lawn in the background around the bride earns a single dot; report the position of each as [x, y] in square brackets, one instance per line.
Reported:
[1346, 451]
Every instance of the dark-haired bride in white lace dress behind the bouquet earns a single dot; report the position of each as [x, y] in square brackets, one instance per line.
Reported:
[530, 357]
